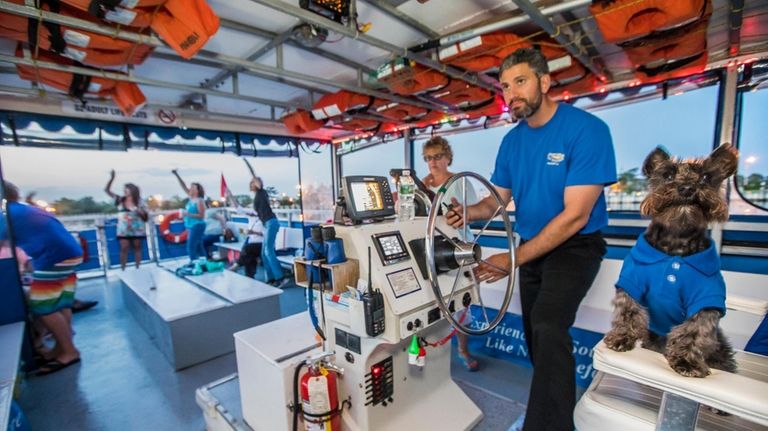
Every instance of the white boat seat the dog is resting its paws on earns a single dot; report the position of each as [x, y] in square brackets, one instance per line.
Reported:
[743, 394]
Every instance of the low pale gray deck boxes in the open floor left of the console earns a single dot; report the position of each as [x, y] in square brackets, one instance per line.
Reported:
[194, 322]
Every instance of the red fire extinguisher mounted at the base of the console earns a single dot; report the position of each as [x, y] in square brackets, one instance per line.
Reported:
[320, 400]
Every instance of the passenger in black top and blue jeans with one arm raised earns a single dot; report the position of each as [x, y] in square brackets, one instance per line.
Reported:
[268, 219]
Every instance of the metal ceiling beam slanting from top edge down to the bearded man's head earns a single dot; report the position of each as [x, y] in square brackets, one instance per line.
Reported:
[312, 18]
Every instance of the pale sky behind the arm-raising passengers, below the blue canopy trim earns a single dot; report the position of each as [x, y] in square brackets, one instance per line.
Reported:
[84, 173]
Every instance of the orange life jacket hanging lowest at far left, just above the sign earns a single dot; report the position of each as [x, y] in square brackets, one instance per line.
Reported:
[126, 95]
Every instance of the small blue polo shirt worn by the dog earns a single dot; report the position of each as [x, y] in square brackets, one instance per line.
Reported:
[672, 288]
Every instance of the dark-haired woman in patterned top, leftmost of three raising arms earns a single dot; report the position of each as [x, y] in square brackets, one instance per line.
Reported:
[131, 220]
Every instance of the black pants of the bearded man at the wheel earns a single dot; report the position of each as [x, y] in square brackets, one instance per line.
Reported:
[551, 288]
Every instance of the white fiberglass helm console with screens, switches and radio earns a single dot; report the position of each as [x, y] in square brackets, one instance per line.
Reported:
[370, 329]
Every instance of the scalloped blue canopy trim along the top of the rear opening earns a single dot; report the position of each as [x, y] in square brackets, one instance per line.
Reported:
[47, 131]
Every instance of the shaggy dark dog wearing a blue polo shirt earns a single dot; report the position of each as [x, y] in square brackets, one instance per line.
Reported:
[671, 294]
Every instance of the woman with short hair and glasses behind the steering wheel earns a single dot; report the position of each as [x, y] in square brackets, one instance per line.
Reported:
[438, 155]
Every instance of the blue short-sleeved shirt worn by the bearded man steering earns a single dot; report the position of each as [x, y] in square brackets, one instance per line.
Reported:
[573, 148]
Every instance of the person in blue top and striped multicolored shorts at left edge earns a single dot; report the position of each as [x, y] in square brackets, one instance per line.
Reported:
[55, 255]
